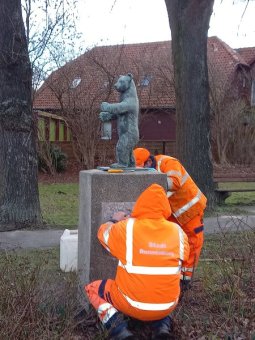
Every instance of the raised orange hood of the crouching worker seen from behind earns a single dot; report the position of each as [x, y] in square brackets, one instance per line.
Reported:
[152, 203]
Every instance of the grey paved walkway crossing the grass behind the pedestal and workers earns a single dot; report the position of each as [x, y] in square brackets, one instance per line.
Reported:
[25, 239]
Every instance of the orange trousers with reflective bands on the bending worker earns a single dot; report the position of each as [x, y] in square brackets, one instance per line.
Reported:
[194, 229]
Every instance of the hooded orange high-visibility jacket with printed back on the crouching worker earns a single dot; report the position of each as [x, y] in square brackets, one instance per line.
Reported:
[150, 251]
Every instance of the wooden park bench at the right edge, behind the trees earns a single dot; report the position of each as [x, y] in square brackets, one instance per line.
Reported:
[225, 193]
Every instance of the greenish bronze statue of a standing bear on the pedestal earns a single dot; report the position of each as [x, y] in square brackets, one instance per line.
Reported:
[126, 113]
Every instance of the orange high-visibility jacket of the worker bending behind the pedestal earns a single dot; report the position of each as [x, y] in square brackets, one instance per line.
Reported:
[185, 198]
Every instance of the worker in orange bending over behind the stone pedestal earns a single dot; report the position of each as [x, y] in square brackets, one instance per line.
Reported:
[187, 203]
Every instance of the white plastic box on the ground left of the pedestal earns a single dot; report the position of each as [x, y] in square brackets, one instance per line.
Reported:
[69, 250]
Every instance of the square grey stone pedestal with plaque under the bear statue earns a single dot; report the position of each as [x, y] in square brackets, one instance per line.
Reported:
[101, 194]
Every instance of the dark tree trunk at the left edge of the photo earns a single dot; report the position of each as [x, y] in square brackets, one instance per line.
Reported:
[19, 198]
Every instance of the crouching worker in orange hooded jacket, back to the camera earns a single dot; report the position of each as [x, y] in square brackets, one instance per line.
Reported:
[150, 250]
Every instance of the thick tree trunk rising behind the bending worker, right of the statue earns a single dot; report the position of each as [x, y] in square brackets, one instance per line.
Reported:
[189, 23]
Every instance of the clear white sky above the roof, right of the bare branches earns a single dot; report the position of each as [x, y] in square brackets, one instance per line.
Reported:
[110, 22]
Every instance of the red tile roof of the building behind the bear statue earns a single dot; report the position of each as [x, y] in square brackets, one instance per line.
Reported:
[99, 67]
